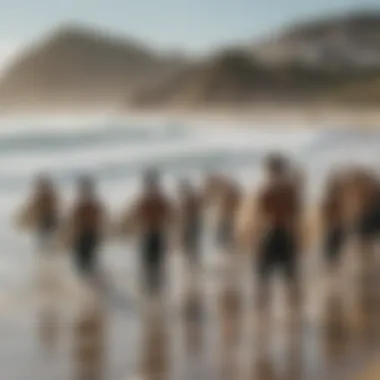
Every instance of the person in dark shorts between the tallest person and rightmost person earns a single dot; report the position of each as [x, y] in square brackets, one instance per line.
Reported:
[333, 221]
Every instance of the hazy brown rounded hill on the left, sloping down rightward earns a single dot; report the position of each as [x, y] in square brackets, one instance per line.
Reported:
[76, 66]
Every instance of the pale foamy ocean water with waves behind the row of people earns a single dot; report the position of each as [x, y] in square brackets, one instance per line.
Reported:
[115, 152]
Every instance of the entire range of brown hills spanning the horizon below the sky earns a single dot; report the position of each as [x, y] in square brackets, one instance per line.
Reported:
[329, 60]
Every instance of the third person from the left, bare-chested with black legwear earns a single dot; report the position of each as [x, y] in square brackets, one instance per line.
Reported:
[152, 216]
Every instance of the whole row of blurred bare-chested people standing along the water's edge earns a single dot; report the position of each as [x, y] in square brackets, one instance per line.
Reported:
[274, 227]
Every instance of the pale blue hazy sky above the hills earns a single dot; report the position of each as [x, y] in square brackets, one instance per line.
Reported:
[193, 25]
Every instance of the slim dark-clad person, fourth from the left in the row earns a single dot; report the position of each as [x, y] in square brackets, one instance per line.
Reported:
[191, 222]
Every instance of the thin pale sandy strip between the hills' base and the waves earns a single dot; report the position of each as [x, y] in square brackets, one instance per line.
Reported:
[269, 115]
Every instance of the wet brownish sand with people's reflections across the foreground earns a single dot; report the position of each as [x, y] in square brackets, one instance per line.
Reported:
[203, 329]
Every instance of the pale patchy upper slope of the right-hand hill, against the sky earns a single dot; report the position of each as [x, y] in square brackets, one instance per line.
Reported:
[345, 40]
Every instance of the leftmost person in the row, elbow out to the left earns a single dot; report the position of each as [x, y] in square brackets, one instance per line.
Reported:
[41, 212]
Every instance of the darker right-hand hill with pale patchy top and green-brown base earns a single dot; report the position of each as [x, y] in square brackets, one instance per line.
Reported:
[330, 60]
